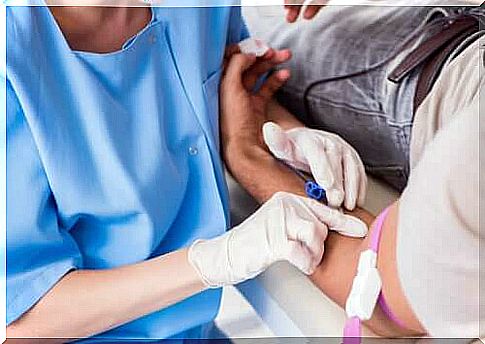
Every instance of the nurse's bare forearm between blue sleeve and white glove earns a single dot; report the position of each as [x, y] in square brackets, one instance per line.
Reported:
[84, 302]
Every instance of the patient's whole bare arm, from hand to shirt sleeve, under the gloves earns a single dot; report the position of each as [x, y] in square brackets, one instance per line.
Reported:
[261, 175]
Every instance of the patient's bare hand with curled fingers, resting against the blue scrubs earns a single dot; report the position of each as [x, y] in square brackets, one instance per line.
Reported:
[243, 110]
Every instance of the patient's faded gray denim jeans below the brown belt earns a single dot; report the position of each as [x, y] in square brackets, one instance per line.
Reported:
[339, 77]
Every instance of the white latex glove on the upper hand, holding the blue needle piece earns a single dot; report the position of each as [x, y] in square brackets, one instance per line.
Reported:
[334, 164]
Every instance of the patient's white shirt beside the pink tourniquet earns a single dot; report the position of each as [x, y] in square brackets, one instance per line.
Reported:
[438, 231]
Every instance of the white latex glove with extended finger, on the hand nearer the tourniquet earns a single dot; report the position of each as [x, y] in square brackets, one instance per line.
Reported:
[287, 227]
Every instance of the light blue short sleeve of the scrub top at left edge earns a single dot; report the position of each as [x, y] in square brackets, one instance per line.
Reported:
[39, 252]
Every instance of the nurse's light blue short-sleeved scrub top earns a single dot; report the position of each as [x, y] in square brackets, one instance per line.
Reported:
[114, 158]
